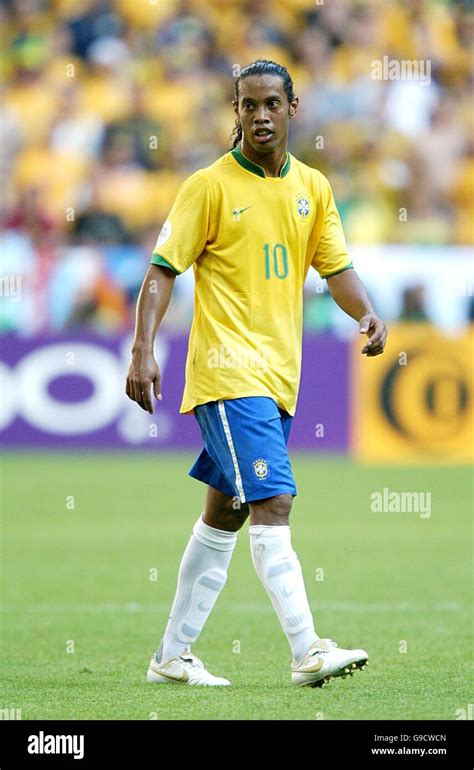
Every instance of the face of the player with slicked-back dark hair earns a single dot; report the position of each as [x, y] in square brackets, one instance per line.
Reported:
[264, 111]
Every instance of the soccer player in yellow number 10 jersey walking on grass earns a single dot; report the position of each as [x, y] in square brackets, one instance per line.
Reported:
[251, 225]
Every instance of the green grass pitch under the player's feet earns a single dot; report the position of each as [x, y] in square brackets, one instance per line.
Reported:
[83, 575]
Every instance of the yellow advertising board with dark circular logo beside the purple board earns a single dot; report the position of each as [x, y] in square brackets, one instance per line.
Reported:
[414, 403]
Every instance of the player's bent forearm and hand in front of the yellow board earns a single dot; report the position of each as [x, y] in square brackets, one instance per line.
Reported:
[349, 292]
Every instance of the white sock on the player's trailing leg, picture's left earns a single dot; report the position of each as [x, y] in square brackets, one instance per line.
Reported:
[202, 576]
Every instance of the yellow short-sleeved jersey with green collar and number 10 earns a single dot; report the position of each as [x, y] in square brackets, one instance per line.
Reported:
[251, 240]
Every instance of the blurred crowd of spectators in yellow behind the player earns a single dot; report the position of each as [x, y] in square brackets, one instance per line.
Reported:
[109, 105]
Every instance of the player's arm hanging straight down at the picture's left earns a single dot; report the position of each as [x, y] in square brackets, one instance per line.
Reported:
[153, 301]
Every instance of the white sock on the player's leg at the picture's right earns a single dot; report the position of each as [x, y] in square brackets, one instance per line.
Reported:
[279, 569]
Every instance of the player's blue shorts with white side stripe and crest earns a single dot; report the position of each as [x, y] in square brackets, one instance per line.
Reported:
[245, 448]
